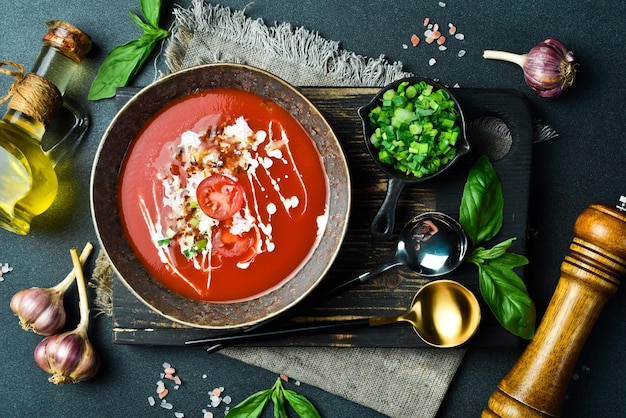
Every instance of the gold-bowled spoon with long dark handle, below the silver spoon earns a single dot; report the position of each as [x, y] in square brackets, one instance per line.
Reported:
[443, 313]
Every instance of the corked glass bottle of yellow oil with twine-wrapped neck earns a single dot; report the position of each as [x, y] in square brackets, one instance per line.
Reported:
[28, 182]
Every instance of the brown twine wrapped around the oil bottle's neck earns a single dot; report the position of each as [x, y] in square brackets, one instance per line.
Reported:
[31, 94]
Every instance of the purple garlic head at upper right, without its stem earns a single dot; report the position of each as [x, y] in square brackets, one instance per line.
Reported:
[550, 68]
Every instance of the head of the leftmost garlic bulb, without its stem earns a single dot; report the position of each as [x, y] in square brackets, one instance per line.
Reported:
[39, 310]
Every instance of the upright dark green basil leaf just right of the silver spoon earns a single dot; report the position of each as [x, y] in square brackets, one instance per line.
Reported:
[482, 202]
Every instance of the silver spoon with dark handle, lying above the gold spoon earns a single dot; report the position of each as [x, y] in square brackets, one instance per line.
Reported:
[432, 244]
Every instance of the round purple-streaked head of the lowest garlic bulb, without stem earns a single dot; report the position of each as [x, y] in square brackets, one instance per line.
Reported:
[68, 357]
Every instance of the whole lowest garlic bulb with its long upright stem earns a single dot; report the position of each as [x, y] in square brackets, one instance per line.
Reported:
[70, 356]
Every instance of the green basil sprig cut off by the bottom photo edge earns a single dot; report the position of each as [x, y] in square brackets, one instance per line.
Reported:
[254, 405]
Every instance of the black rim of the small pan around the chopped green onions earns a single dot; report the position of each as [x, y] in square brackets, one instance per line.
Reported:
[463, 146]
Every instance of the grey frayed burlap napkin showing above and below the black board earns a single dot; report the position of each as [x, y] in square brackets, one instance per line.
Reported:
[207, 33]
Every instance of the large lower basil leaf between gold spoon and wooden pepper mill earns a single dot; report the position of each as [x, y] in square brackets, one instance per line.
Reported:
[505, 294]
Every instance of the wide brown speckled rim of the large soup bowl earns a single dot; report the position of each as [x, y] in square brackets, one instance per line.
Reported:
[238, 313]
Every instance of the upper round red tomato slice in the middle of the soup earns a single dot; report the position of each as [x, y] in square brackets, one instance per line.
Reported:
[220, 197]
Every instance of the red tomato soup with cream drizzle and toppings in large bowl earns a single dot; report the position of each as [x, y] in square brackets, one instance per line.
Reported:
[223, 195]
